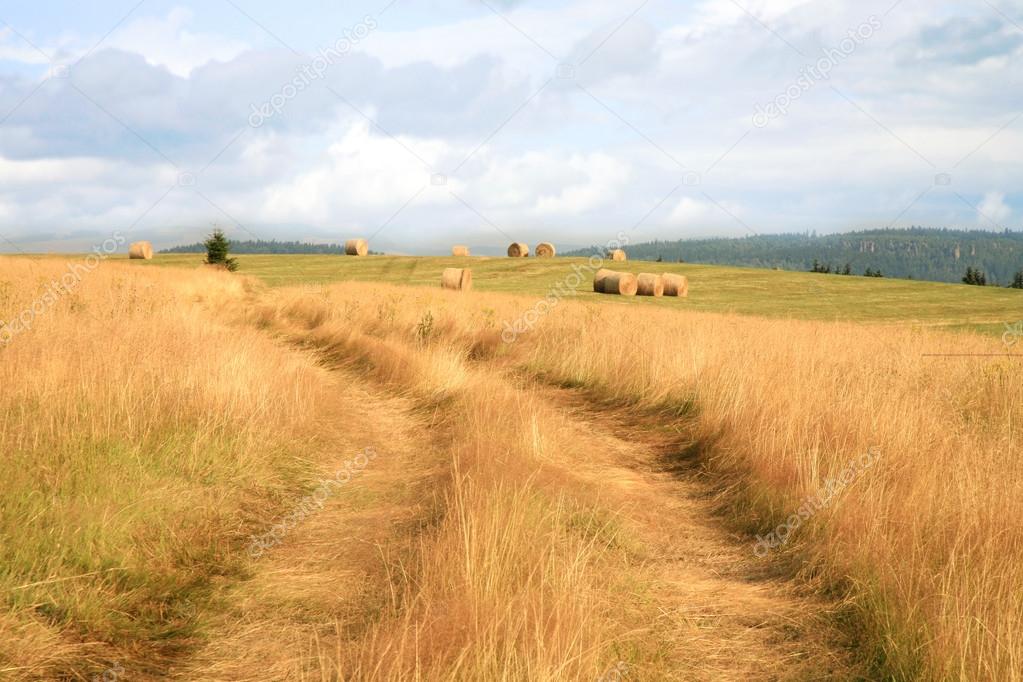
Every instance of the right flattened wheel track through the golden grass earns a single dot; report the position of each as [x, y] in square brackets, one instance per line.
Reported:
[717, 603]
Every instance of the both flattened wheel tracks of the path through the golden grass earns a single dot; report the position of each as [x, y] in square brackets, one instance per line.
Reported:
[709, 609]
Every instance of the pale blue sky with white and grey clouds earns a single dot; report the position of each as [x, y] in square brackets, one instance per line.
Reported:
[424, 123]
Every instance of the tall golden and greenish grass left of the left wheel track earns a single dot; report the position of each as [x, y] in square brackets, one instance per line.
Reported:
[136, 429]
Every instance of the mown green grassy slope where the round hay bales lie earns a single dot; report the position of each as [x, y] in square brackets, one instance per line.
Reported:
[745, 291]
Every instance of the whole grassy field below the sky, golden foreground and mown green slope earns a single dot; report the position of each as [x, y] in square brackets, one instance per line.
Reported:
[330, 469]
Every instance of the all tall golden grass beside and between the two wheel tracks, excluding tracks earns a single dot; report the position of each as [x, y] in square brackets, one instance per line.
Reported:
[151, 417]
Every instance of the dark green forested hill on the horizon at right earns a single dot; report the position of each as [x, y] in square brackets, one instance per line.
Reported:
[940, 255]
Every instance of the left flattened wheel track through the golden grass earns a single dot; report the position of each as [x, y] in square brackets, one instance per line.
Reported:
[327, 580]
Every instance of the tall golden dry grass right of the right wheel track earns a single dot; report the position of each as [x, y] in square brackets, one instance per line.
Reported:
[925, 547]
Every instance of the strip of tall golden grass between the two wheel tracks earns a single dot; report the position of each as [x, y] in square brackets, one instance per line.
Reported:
[503, 584]
